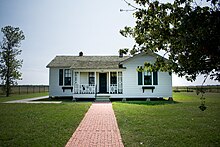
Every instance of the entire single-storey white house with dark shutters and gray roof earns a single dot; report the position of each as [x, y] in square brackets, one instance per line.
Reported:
[108, 76]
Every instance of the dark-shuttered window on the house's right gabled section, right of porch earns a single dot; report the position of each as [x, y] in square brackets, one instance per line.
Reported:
[147, 78]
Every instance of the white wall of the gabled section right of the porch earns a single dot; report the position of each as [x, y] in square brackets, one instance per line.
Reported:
[130, 80]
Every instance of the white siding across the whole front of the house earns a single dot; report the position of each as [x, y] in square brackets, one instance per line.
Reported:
[131, 89]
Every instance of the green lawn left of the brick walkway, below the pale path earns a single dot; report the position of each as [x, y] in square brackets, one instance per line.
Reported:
[39, 124]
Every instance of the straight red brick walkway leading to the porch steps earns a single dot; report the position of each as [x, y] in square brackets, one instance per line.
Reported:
[98, 128]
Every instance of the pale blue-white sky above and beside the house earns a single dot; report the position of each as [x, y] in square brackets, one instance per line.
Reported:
[66, 27]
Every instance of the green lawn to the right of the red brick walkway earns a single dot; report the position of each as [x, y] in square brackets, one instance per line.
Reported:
[175, 124]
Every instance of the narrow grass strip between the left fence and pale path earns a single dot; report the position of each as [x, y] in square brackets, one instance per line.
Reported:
[3, 98]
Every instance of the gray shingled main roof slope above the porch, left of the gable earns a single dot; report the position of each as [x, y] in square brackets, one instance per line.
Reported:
[87, 62]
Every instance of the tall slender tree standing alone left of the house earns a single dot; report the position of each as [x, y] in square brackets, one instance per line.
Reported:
[9, 64]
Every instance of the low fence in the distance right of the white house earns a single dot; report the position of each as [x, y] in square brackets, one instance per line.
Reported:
[207, 88]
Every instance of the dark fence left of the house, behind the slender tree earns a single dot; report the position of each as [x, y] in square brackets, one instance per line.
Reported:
[21, 89]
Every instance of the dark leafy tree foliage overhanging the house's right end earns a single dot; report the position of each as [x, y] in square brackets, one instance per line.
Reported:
[189, 34]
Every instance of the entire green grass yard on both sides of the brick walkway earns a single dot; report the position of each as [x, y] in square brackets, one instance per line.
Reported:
[154, 123]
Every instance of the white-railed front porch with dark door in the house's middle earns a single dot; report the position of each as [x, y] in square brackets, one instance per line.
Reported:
[87, 83]
